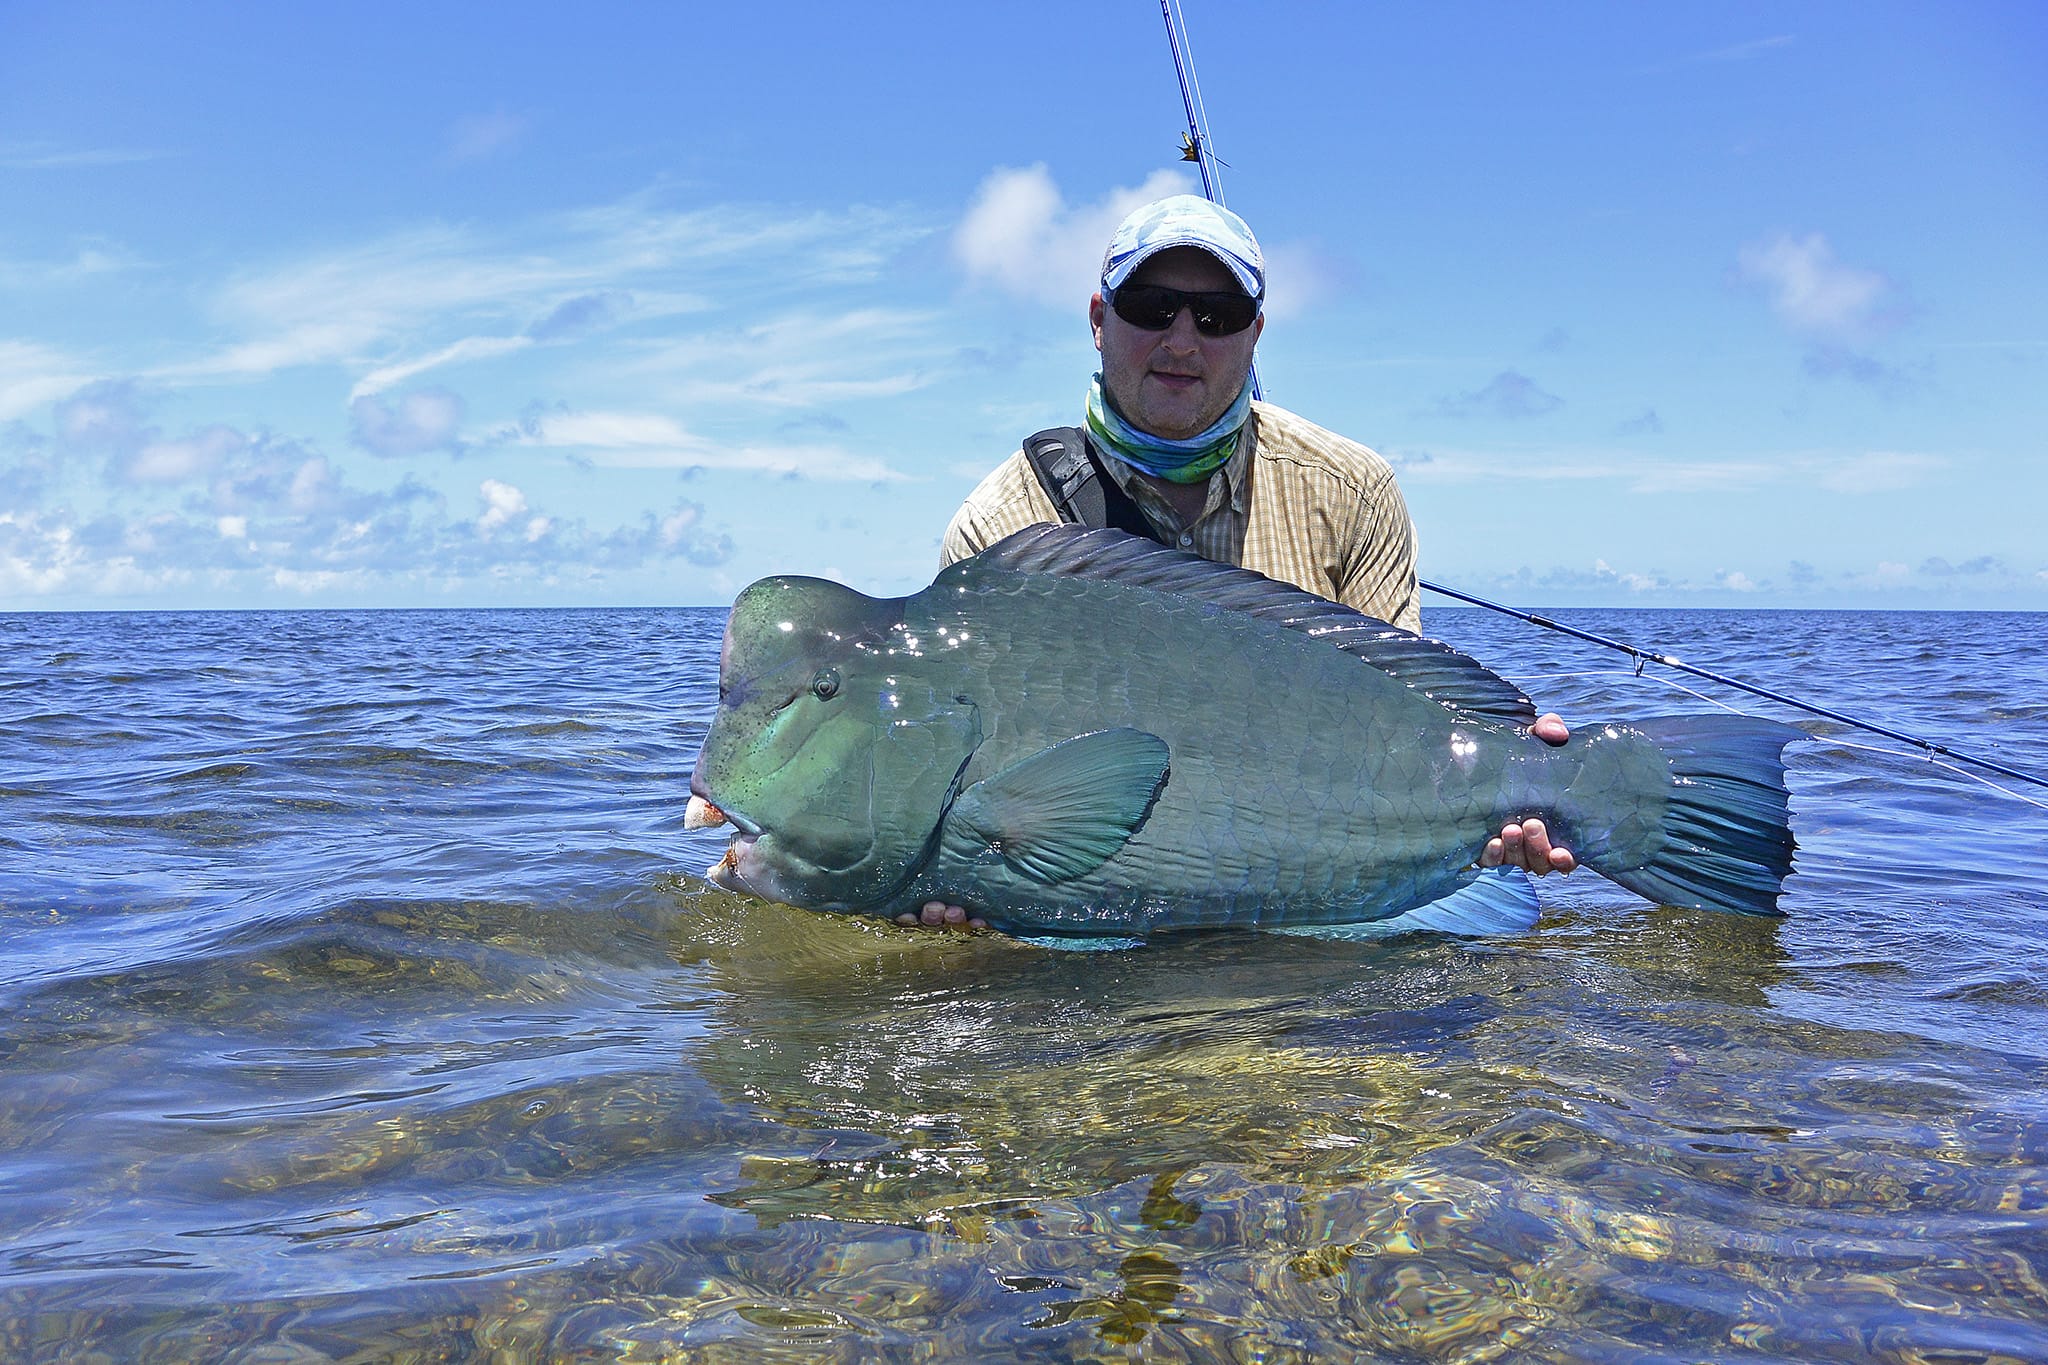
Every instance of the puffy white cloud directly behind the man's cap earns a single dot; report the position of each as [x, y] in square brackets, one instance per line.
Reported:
[1023, 236]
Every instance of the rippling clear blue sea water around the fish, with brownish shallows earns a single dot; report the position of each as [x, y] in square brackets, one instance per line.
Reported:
[361, 1002]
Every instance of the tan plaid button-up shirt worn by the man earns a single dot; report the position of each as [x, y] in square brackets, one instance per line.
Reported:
[1295, 502]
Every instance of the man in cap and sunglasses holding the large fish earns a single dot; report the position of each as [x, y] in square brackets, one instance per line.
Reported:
[1183, 453]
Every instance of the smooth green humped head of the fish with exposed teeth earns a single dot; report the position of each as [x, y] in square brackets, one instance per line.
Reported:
[835, 750]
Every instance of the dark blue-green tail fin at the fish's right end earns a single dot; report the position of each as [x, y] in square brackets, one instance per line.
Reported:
[1727, 826]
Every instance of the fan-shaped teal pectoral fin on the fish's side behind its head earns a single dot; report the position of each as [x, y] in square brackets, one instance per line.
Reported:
[1064, 811]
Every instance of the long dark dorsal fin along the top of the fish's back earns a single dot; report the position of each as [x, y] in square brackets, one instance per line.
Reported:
[1091, 554]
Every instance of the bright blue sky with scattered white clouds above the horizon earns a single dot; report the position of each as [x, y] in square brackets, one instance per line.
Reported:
[468, 306]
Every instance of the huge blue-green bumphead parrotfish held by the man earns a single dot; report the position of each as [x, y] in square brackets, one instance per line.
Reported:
[1089, 736]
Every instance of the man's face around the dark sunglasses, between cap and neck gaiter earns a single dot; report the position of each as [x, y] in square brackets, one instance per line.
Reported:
[1175, 384]
